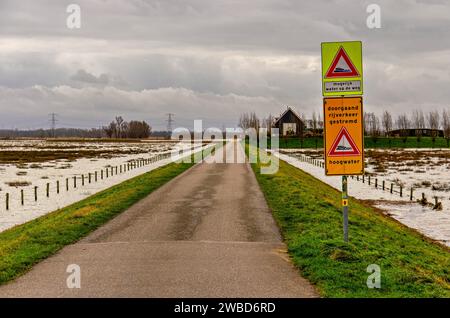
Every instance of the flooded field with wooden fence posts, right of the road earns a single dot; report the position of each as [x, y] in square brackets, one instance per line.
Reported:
[425, 171]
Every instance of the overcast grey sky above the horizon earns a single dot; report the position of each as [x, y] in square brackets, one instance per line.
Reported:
[210, 59]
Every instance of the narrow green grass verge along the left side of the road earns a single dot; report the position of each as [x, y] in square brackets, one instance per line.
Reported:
[23, 246]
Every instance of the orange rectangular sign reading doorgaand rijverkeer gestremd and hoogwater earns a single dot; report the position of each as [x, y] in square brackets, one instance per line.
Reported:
[343, 136]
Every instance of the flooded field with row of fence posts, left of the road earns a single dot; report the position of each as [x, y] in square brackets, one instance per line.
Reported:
[37, 176]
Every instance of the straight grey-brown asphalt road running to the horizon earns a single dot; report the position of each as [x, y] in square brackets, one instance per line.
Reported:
[206, 233]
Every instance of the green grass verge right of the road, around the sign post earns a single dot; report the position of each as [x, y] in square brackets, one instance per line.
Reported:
[309, 215]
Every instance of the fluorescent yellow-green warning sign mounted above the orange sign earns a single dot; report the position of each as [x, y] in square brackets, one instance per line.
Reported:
[342, 72]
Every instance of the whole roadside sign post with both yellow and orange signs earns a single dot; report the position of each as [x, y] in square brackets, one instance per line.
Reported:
[342, 77]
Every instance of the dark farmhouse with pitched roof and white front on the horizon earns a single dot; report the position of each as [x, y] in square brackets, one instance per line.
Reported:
[290, 124]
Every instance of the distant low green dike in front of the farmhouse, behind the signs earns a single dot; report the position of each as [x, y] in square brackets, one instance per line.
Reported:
[369, 142]
